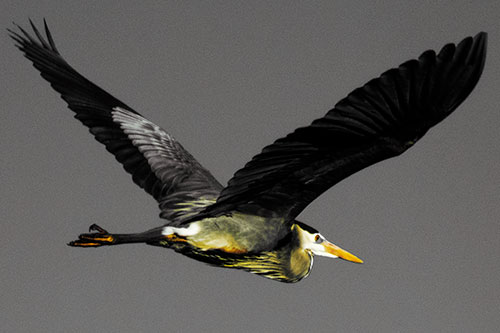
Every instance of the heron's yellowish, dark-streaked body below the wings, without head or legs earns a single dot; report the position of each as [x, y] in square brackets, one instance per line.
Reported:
[230, 245]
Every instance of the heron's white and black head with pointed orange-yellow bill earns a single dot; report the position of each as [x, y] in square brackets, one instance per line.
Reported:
[312, 241]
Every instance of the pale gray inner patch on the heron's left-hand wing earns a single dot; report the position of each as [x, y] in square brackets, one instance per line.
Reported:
[187, 188]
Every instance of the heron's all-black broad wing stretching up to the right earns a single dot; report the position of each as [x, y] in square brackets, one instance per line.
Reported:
[377, 121]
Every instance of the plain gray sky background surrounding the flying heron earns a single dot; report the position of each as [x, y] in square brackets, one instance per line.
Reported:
[227, 78]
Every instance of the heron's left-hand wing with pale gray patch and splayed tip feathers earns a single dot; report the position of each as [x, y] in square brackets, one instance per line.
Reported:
[157, 162]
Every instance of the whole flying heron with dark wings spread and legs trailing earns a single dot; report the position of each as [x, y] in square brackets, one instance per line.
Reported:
[250, 224]
